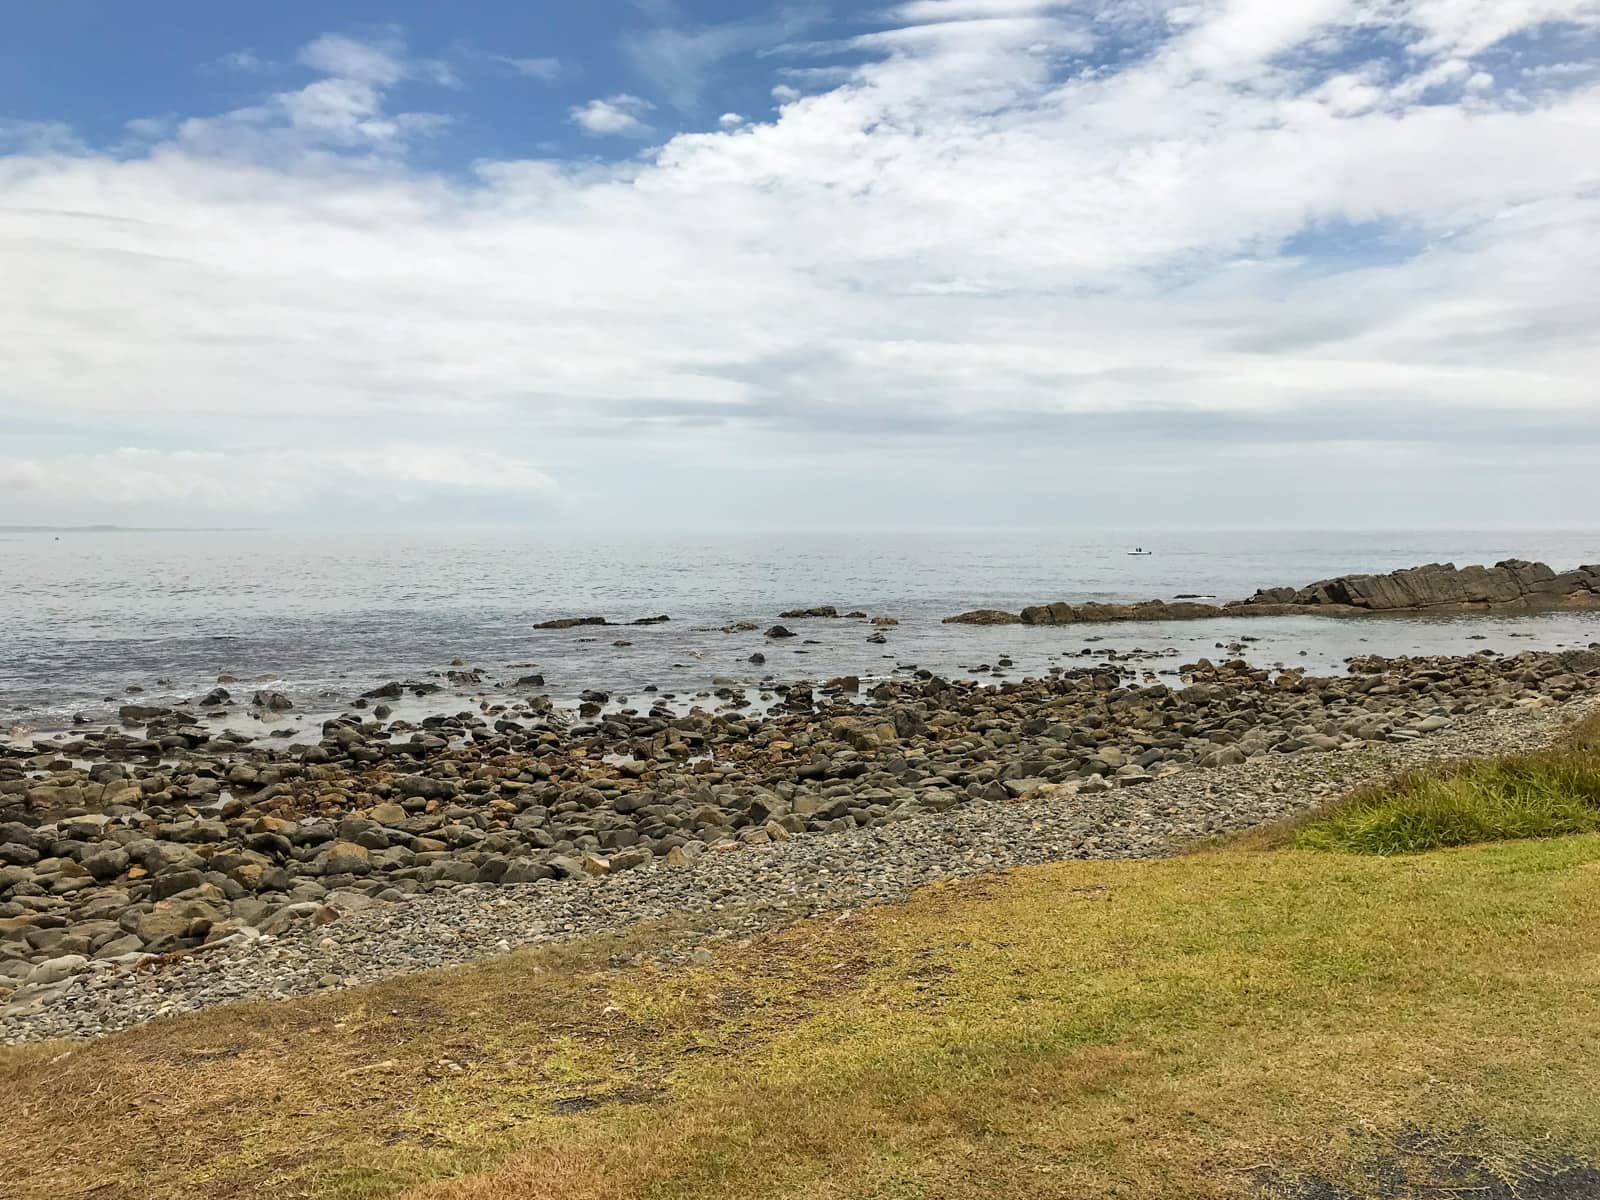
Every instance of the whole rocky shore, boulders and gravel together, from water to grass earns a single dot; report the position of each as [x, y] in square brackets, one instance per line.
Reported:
[135, 866]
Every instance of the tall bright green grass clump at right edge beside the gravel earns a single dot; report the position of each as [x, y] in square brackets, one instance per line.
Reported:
[1543, 794]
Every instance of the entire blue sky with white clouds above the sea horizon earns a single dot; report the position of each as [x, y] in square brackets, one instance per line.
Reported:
[689, 265]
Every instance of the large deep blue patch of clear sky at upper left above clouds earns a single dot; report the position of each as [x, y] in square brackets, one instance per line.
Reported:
[508, 76]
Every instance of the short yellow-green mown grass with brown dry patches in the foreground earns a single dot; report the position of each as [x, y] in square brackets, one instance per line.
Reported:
[1114, 1030]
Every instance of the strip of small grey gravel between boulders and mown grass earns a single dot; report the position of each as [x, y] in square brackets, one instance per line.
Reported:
[743, 889]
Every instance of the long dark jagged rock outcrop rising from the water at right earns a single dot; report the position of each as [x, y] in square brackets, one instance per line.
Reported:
[1513, 586]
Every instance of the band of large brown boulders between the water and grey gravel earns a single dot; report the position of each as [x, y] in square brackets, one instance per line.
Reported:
[121, 852]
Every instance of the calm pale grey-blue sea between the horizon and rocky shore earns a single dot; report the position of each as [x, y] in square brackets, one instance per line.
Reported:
[87, 617]
